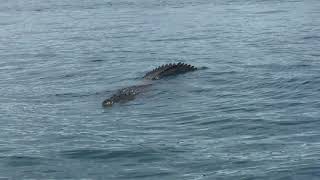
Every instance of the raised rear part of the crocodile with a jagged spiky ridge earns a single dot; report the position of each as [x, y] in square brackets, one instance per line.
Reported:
[169, 70]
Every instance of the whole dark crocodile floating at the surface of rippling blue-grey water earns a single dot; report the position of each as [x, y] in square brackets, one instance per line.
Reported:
[129, 93]
